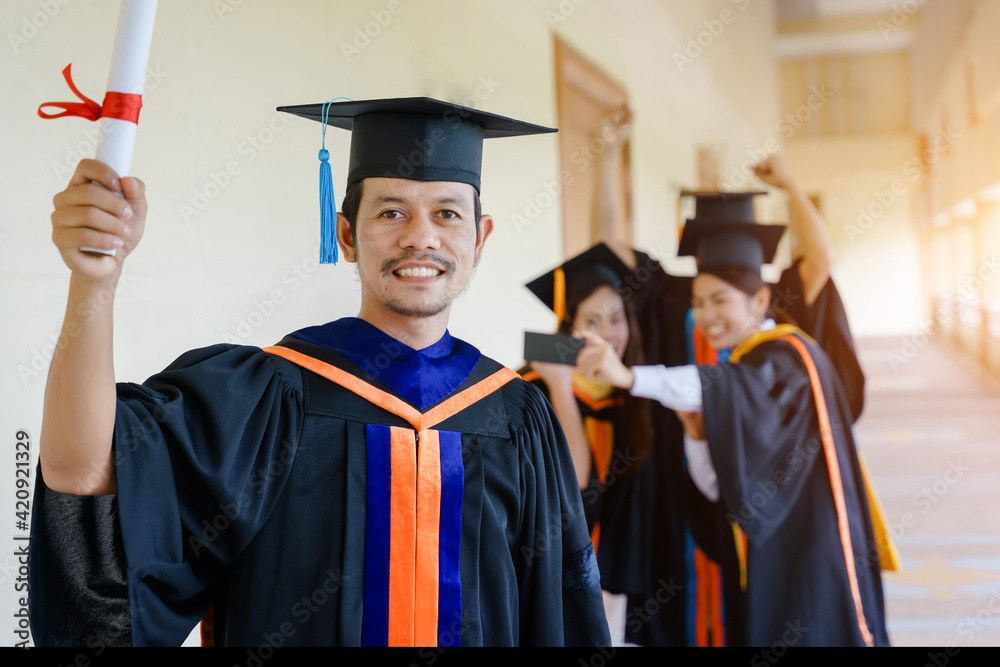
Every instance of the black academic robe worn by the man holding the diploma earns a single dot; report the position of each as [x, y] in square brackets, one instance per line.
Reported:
[242, 487]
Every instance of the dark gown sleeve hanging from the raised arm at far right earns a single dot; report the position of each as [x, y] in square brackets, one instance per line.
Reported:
[825, 321]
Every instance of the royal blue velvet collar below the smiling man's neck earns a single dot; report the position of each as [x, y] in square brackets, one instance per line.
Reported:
[422, 377]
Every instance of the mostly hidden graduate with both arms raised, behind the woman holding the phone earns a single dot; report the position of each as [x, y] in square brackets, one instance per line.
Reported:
[805, 295]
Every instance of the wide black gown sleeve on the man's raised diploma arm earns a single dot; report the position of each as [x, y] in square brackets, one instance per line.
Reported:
[202, 451]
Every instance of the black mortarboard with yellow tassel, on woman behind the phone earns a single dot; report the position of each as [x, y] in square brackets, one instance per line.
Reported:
[581, 275]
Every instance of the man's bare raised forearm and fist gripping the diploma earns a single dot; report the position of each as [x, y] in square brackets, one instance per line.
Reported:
[79, 414]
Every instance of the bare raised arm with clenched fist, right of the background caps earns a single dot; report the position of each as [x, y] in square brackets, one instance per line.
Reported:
[814, 243]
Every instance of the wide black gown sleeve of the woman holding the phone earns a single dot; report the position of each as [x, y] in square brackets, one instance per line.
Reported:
[760, 417]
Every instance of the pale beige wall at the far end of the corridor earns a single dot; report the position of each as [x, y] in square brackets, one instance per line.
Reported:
[854, 149]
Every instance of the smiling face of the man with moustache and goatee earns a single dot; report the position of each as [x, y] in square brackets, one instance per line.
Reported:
[415, 244]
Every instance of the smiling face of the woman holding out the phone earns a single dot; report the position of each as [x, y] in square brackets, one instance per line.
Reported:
[724, 313]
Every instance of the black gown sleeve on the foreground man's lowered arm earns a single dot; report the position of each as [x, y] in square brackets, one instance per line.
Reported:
[560, 601]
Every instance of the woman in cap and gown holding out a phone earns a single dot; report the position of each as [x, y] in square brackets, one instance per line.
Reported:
[768, 440]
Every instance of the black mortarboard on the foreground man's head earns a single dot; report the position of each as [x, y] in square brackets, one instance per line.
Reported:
[416, 138]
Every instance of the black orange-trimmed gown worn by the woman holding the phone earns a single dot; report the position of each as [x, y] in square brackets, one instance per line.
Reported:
[763, 432]
